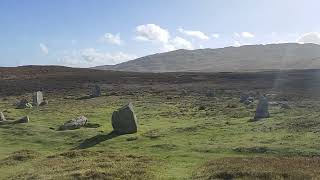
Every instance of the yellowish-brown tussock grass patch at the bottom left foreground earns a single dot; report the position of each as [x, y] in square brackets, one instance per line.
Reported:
[87, 165]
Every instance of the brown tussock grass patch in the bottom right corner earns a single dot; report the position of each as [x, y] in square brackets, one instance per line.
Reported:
[260, 168]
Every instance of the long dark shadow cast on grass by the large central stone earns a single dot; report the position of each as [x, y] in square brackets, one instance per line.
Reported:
[96, 140]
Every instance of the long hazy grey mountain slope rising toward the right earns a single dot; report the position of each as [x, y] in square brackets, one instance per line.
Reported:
[244, 58]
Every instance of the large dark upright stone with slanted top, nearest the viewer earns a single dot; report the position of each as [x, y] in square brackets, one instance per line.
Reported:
[124, 120]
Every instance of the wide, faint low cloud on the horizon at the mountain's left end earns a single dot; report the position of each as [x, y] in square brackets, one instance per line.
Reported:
[92, 57]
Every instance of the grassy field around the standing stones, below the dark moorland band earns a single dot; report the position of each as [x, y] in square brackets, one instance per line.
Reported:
[179, 137]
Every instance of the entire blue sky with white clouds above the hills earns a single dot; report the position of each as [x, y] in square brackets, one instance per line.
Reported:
[87, 33]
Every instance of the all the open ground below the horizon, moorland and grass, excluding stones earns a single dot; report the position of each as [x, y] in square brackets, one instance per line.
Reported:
[181, 136]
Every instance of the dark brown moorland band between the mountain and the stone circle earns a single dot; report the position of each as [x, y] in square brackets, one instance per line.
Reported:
[62, 80]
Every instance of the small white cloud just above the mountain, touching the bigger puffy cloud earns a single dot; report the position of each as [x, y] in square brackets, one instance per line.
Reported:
[177, 43]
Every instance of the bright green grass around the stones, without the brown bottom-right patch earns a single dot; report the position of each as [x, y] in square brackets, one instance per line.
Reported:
[174, 136]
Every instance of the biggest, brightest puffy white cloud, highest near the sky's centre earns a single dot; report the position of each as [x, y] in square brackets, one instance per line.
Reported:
[152, 32]
